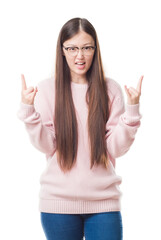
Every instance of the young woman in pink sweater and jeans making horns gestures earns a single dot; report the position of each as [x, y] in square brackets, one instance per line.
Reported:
[78, 119]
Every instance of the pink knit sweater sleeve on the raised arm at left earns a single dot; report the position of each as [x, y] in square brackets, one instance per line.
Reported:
[38, 124]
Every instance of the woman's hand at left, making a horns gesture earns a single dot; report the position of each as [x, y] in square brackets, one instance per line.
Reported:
[27, 94]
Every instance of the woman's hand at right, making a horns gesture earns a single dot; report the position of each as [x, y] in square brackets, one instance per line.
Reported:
[133, 95]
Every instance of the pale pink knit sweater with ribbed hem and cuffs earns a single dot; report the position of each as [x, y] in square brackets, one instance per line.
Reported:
[82, 190]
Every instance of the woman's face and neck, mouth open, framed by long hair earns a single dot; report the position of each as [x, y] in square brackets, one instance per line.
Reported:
[79, 64]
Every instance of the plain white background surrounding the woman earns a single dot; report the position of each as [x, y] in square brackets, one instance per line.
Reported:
[130, 40]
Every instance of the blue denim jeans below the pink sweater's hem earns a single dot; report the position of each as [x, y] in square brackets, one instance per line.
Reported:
[93, 226]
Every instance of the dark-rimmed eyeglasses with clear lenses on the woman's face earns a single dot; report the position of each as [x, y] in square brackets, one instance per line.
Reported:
[73, 51]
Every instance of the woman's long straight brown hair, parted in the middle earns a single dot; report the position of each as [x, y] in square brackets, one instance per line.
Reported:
[65, 121]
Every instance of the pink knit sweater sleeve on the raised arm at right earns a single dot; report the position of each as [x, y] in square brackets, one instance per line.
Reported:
[121, 126]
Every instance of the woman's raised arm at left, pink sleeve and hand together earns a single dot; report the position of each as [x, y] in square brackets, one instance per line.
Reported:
[41, 130]
